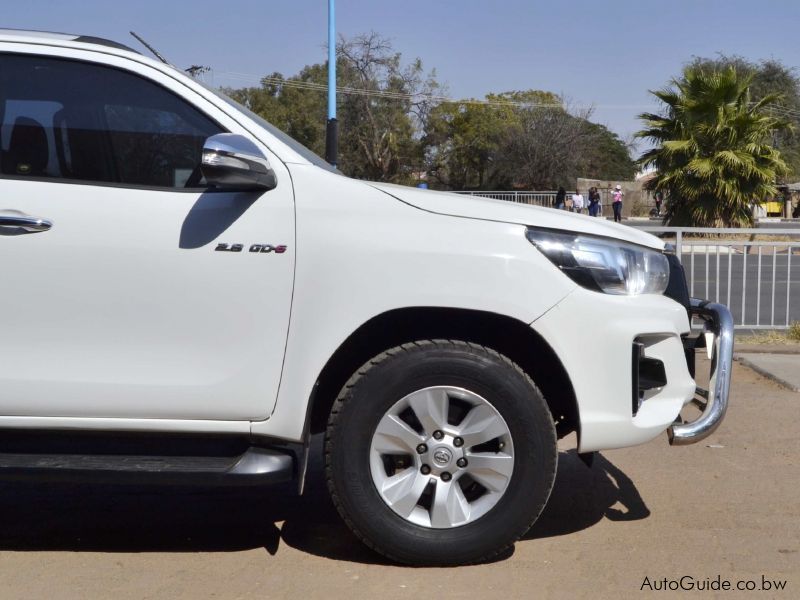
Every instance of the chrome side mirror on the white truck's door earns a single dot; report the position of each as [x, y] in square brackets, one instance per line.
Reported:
[232, 162]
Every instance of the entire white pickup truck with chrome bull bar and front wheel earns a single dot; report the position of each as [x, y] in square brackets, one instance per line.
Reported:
[189, 295]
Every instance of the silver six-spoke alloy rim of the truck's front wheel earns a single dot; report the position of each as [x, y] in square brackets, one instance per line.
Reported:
[441, 457]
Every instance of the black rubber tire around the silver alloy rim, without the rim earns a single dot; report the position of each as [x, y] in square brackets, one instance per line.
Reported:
[393, 375]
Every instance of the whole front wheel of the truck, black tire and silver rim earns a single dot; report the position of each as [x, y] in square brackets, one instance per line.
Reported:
[440, 452]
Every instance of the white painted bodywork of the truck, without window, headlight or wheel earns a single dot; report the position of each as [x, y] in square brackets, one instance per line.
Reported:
[114, 322]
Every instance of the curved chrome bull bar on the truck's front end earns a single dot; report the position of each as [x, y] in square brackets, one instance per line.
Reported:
[719, 321]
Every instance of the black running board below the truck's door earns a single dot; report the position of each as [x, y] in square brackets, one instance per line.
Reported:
[255, 466]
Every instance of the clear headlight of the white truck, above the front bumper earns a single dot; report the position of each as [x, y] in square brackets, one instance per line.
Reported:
[603, 264]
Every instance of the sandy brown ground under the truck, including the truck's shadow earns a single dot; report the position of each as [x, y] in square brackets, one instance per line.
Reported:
[728, 506]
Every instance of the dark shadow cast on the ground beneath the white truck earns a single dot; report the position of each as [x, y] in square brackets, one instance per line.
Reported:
[101, 518]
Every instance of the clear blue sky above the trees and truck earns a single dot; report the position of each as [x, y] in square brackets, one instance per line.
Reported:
[606, 54]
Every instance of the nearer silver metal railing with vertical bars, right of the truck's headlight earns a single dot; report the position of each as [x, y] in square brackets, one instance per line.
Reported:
[757, 279]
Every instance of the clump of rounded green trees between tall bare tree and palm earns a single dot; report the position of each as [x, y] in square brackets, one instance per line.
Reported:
[529, 139]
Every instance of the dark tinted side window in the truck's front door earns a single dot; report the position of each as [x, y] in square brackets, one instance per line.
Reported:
[82, 121]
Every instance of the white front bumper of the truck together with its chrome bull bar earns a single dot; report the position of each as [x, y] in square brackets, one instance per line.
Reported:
[593, 334]
